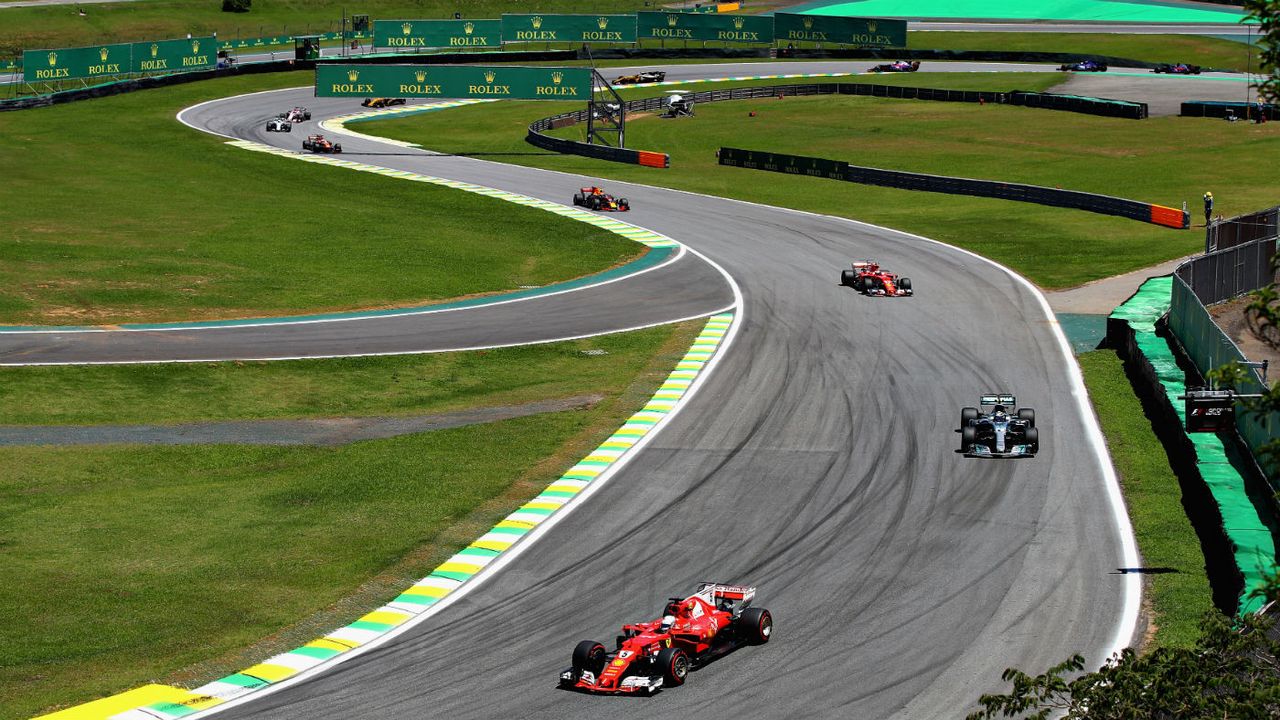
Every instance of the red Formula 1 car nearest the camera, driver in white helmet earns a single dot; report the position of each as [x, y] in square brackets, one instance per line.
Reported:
[660, 654]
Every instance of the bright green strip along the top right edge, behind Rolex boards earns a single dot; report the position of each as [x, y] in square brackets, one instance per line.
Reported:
[1101, 11]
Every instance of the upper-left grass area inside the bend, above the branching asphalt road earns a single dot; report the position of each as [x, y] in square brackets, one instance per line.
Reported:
[113, 212]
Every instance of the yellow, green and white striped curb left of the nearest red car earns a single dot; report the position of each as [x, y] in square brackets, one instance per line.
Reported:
[445, 580]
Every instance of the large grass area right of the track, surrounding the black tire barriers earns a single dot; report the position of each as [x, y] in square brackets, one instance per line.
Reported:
[1163, 161]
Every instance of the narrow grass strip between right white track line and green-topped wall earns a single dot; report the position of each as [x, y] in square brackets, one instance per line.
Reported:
[1177, 599]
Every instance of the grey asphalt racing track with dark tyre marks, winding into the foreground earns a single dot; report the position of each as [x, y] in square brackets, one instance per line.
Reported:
[817, 463]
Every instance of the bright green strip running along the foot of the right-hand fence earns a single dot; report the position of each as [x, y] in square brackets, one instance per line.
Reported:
[1252, 544]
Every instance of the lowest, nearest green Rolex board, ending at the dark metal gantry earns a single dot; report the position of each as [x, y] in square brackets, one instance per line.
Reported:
[454, 81]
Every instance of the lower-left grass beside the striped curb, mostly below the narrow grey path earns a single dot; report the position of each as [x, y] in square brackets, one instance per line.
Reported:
[127, 564]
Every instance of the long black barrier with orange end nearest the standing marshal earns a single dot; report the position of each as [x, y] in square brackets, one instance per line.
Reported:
[1073, 199]
